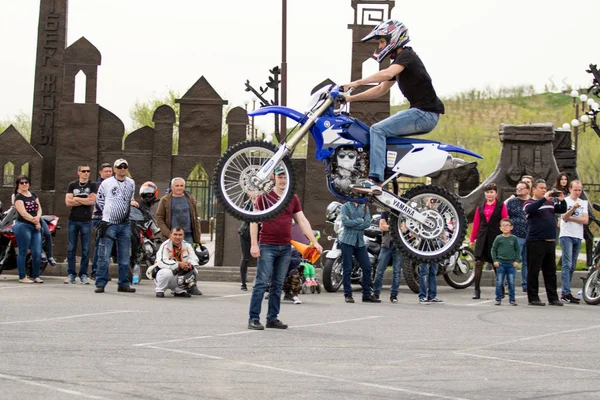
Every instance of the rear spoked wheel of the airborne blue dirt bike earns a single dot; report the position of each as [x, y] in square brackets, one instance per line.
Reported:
[434, 243]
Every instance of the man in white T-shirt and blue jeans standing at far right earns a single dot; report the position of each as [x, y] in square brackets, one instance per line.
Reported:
[571, 235]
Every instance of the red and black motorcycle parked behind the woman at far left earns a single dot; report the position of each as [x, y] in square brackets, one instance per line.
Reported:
[8, 241]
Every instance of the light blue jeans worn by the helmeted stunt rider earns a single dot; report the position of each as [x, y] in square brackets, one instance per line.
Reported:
[402, 123]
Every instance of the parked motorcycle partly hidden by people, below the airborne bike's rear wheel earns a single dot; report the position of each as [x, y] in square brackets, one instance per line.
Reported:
[458, 271]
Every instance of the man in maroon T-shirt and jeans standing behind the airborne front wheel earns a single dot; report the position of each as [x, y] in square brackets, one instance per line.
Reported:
[274, 253]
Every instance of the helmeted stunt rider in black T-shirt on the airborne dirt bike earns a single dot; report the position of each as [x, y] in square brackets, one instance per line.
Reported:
[415, 84]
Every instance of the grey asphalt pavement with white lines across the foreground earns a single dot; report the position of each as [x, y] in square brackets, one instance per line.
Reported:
[66, 342]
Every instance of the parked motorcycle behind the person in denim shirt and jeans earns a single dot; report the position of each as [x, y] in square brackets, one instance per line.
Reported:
[331, 260]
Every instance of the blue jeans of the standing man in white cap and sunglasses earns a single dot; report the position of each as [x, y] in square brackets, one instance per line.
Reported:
[121, 234]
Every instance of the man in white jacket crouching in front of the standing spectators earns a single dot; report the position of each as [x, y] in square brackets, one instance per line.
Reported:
[177, 263]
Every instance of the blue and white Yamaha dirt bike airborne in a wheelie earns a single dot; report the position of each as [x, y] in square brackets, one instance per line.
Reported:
[428, 222]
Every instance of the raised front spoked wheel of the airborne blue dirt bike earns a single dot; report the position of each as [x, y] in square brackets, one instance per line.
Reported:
[235, 182]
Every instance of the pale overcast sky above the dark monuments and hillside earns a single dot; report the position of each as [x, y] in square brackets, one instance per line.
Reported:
[151, 46]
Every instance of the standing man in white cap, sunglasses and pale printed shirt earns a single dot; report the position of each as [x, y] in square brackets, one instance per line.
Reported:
[114, 199]
